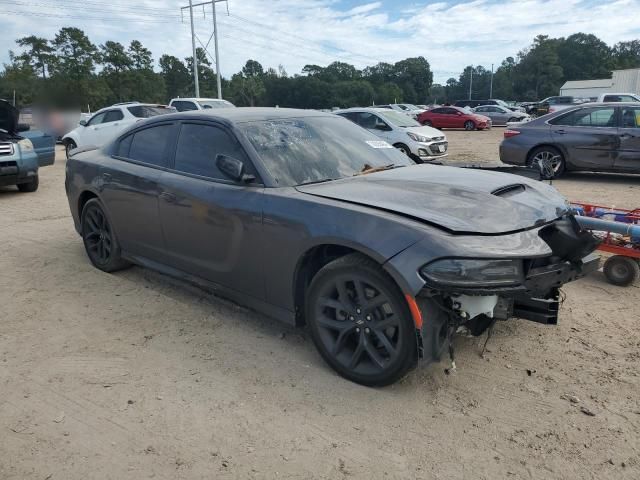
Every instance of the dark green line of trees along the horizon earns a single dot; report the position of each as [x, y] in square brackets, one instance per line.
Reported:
[71, 71]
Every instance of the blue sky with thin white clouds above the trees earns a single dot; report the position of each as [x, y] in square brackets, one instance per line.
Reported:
[450, 34]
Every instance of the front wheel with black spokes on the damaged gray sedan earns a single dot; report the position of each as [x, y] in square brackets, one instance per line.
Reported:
[360, 322]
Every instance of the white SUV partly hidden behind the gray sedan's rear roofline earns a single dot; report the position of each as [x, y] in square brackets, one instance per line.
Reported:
[108, 122]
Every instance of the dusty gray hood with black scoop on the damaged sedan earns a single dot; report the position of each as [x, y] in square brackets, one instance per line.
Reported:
[456, 199]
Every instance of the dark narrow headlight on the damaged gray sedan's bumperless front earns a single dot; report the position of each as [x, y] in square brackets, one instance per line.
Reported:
[474, 272]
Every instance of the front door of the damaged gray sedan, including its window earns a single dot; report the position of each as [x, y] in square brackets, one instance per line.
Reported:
[212, 225]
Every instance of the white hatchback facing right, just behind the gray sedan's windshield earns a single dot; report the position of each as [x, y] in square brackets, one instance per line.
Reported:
[421, 143]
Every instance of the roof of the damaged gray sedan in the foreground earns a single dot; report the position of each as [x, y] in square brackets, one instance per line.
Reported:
[241, 114]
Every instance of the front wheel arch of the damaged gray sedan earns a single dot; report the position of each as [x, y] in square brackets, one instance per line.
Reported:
[319, 255]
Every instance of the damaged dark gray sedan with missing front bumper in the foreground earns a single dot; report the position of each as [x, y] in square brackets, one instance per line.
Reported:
[313, 220]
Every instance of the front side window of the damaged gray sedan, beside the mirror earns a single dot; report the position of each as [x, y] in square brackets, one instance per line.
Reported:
[198, 147]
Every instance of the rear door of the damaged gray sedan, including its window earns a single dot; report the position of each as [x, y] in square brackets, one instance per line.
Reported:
[129, 188]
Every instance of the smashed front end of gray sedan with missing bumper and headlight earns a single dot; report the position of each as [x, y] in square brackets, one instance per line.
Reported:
[471, 294]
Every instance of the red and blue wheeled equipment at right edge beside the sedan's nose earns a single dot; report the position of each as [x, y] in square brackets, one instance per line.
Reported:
[620, 236]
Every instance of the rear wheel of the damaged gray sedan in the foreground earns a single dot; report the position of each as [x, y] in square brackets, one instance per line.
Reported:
[100, 241]
